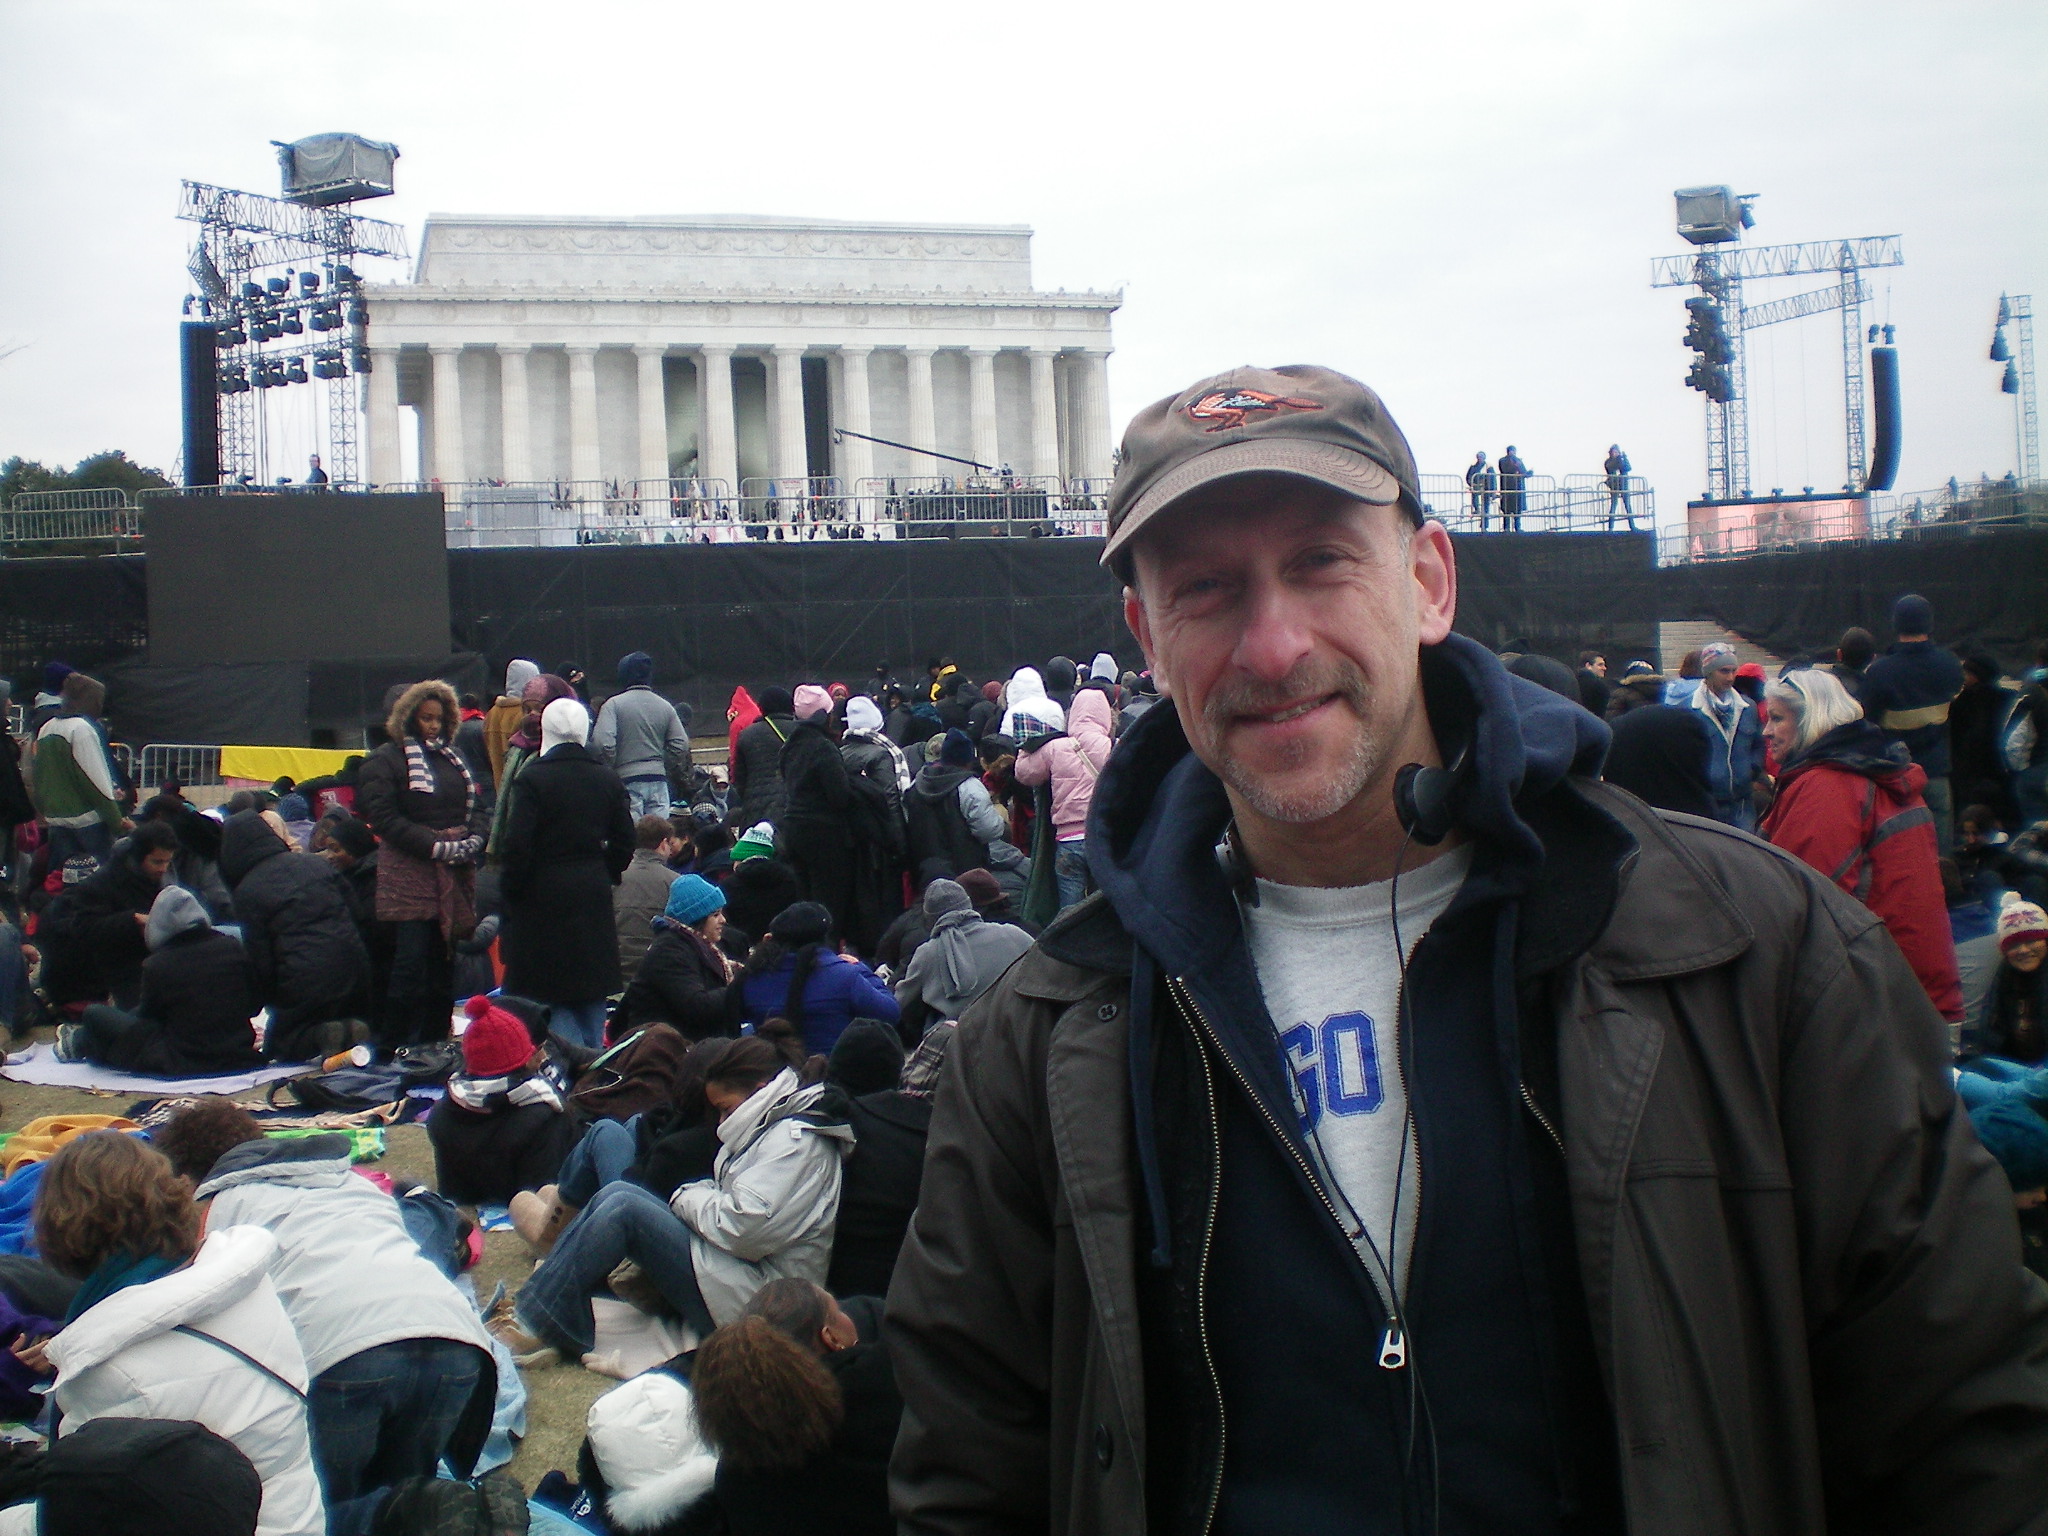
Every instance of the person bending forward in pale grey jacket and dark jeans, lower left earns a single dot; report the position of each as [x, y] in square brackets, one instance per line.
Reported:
[402, 1367]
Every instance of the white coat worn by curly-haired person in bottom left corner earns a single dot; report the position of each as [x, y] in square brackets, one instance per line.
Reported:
[124, 1361]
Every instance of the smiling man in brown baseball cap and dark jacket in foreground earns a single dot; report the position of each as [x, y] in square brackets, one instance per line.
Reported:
[1418, 1134]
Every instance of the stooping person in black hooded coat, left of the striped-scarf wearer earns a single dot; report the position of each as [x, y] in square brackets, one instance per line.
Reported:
[300, 933]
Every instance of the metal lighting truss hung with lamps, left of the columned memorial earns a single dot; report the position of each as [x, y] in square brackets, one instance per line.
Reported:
[280, 284]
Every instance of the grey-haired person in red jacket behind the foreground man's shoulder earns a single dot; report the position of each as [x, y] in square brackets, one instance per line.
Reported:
[1850, 806]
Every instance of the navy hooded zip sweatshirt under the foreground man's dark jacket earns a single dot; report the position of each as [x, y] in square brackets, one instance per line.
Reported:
[1498, 1420]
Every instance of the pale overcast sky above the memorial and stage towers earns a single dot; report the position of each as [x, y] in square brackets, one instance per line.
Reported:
[1453, 202]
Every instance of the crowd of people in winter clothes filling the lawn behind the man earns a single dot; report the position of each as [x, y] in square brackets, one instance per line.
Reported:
[703, 1019]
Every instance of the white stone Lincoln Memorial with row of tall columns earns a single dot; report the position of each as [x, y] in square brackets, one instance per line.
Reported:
[732, 357]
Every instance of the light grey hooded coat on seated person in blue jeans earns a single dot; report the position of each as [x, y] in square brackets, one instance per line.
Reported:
[773, 1199]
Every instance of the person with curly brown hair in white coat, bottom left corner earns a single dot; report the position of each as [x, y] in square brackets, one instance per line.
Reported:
[169, 1326]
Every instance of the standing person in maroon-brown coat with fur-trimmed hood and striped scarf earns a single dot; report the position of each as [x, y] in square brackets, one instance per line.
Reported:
[423, 804]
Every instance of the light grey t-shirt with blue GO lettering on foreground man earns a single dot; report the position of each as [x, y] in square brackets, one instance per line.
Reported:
[1332, 984]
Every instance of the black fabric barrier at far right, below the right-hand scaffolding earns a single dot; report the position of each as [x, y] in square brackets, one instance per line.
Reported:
[1990, 591]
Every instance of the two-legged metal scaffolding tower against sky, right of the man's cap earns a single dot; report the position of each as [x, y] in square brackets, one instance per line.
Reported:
[1719, 271]
